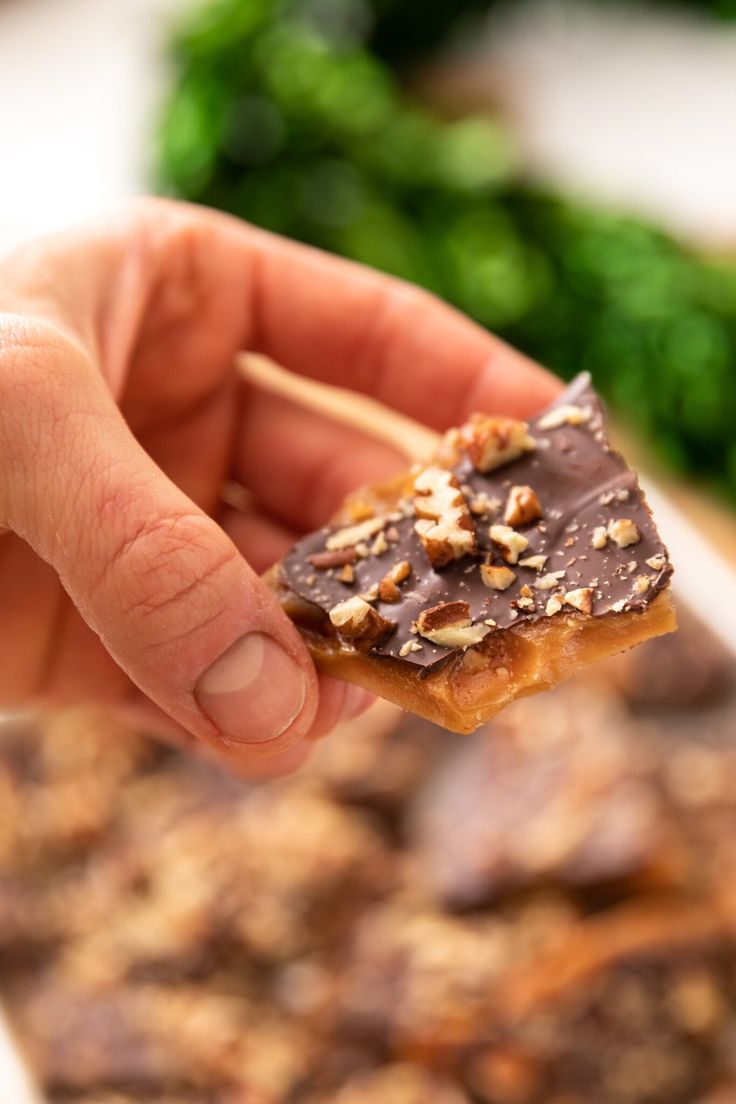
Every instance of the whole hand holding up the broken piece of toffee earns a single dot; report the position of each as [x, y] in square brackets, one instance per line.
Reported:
[124, 579]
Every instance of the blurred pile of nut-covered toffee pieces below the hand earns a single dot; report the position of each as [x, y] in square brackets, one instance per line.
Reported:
[547, 917]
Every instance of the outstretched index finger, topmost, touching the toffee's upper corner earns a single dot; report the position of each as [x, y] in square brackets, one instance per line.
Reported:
[346, 325]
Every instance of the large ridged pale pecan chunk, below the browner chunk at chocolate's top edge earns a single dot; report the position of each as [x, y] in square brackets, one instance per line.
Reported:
[445, 527]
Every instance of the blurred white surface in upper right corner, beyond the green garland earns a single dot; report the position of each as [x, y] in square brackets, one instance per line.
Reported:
[633, 107]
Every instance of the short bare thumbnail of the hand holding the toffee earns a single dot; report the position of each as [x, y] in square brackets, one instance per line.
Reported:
[254, 692]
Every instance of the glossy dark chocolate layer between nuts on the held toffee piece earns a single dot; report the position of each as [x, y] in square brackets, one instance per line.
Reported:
[584, 487]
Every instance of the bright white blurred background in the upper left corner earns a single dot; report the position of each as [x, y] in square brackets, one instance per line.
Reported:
[80, 81]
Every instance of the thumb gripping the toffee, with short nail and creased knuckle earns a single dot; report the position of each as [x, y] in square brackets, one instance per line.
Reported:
[166, 590]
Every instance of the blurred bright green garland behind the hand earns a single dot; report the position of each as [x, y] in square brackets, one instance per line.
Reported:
[292, 114]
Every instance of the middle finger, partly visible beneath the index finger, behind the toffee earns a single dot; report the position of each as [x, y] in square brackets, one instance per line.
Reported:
[301, 463]
